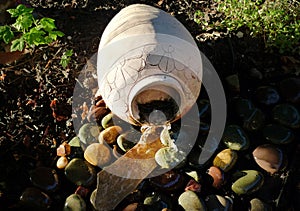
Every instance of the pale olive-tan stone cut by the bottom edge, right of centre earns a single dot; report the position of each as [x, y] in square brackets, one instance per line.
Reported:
[191, 202]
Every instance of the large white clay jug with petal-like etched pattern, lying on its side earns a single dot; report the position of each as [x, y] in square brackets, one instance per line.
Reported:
[147, 62]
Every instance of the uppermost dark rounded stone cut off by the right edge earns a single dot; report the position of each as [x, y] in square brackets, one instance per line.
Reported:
[290, 89]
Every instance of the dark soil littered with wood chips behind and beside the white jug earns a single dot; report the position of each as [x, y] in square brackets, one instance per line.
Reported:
[31, 129]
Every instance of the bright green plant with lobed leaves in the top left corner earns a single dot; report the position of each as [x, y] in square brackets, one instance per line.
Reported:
[28, 31]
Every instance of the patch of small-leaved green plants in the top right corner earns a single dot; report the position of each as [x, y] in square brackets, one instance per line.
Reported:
[277, 21]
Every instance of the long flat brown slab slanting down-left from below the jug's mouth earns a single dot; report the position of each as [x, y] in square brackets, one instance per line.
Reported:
[122, 177]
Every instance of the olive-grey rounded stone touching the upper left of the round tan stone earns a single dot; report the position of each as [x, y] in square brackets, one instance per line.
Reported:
[88, 134]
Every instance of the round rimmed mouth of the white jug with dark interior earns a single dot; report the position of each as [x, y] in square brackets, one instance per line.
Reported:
[161, 94]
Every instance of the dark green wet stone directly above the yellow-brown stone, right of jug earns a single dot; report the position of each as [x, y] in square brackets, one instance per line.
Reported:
[235, 138]
